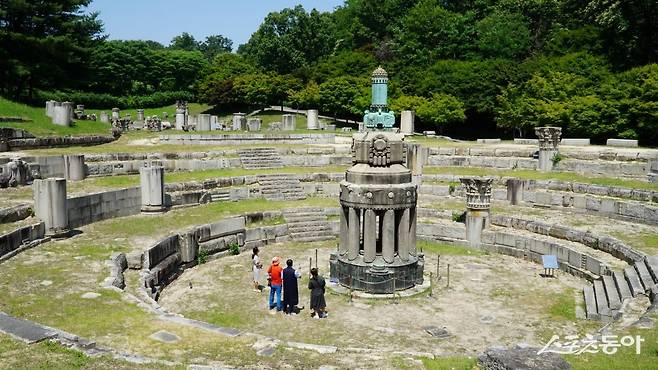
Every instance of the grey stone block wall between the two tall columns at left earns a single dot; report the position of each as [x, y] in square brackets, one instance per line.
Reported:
[91, 208]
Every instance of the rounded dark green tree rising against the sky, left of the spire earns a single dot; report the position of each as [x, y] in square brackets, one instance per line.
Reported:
[290, 39]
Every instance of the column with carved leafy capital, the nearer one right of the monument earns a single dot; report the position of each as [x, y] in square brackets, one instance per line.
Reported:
[478, 203]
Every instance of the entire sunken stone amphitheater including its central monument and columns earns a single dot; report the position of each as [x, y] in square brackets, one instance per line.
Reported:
[136, 246]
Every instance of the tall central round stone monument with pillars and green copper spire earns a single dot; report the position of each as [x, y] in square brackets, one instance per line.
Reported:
[377, 247]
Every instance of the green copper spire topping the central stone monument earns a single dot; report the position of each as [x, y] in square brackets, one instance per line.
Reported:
[379, 117]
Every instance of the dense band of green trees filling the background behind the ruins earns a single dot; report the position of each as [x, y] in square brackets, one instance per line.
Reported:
[500, 67]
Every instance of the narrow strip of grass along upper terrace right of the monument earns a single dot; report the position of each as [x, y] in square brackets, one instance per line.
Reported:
[537, 175]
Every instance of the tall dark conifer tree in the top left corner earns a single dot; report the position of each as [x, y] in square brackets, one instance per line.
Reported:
[44, 44]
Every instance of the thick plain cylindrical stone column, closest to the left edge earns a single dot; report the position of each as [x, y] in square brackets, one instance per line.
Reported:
[50, 205]
